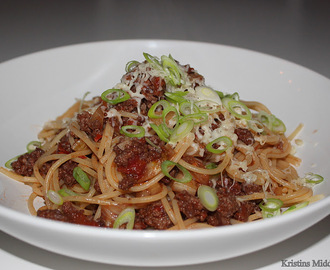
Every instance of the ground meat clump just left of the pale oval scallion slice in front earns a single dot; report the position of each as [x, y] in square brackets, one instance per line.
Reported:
[191, 206]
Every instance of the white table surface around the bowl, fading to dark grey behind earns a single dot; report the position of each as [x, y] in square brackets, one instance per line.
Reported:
[295, 30]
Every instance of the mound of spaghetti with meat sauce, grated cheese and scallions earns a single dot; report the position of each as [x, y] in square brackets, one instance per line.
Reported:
[136, 156]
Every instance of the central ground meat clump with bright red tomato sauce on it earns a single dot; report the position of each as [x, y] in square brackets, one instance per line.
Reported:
[132, 157]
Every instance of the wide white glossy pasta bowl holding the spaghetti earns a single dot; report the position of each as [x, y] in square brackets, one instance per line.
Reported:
[40, 86]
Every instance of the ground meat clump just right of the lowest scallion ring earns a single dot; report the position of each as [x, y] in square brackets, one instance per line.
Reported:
[154, 216]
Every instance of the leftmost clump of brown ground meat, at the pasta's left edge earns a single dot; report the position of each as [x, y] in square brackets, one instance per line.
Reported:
[24, 164]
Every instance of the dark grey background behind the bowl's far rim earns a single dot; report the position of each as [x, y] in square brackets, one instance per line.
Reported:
[296, 30]
